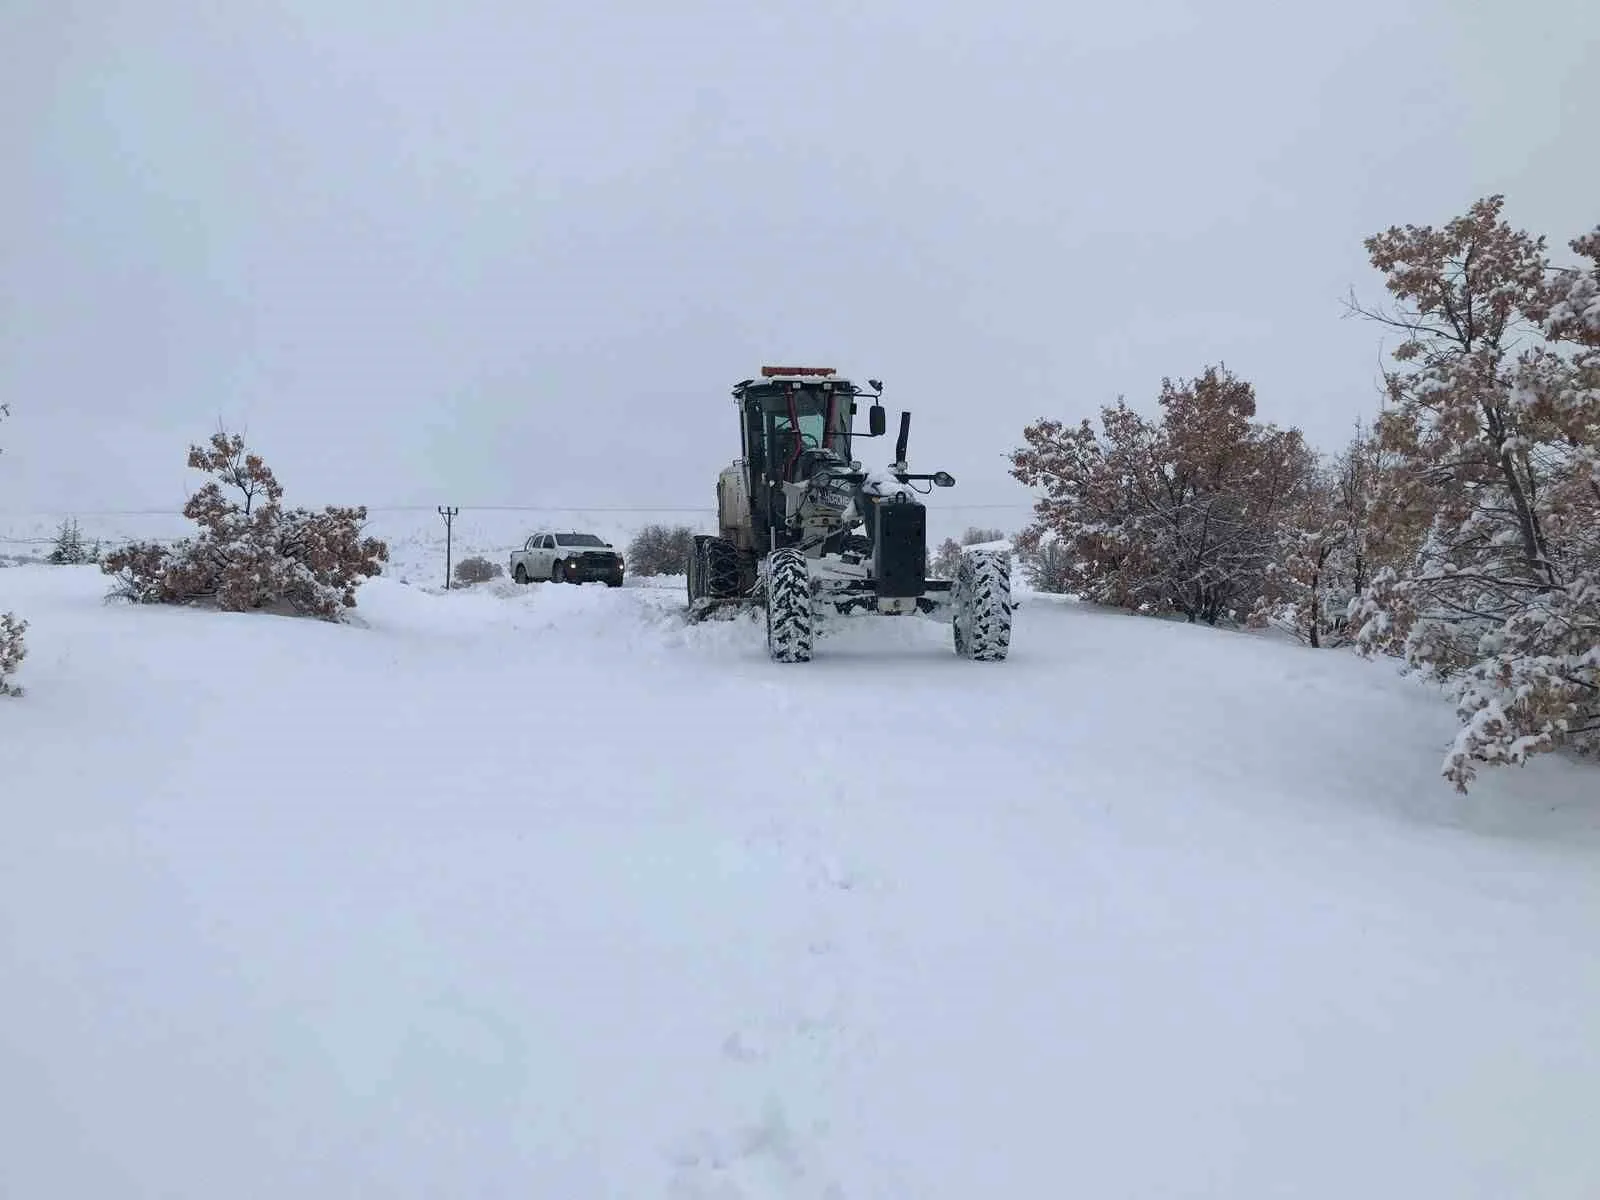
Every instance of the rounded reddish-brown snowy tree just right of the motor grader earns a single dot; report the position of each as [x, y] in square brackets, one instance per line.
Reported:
[1175, 516]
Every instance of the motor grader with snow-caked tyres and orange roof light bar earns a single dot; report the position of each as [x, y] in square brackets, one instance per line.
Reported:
[806, 530]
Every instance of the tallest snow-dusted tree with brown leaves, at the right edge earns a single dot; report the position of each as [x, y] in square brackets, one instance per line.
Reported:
[1495, 457]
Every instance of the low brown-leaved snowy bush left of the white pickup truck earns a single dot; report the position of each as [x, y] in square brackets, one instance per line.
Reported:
[252, 553]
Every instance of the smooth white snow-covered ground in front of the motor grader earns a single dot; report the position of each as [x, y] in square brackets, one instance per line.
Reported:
[543, 894]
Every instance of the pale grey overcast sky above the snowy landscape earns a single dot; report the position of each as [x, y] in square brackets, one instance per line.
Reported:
[518, 254]
